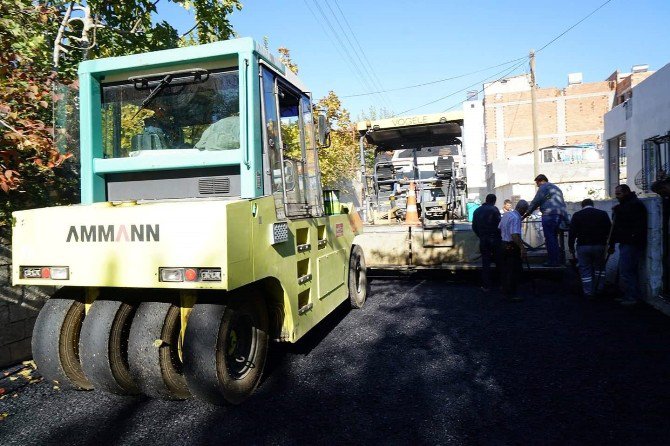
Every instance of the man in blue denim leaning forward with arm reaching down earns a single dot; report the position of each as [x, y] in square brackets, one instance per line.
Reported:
[549, 198]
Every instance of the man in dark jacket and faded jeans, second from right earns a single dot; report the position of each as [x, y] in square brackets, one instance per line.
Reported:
[590, 227]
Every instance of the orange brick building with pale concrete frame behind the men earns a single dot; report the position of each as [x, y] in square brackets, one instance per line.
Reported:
[570, 134]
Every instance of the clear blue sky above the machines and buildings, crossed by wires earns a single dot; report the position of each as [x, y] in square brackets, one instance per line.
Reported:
[390, 45]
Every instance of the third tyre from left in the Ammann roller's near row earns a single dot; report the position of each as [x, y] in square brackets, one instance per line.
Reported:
[153, 351]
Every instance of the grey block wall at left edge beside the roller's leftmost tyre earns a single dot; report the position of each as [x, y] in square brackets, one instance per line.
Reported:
[18, 310]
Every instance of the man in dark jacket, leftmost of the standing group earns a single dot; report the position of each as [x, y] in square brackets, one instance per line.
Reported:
[485, 224]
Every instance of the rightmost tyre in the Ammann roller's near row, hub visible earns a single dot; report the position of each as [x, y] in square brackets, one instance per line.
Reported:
[225, 348]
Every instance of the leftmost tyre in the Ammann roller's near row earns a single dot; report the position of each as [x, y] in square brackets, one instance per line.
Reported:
[55, 343]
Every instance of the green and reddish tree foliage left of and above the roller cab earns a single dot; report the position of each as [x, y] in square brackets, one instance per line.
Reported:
[33, 172]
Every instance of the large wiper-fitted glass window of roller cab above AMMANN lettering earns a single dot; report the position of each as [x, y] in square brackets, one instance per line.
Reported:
[197, 115]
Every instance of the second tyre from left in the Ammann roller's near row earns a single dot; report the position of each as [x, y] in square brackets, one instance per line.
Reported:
[104, 346]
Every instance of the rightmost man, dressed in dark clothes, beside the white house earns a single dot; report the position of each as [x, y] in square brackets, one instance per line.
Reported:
[630, 232]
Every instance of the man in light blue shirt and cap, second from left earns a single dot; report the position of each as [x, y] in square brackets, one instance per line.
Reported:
[513, 250]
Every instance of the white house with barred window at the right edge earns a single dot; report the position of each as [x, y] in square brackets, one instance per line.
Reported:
[637, 135]
